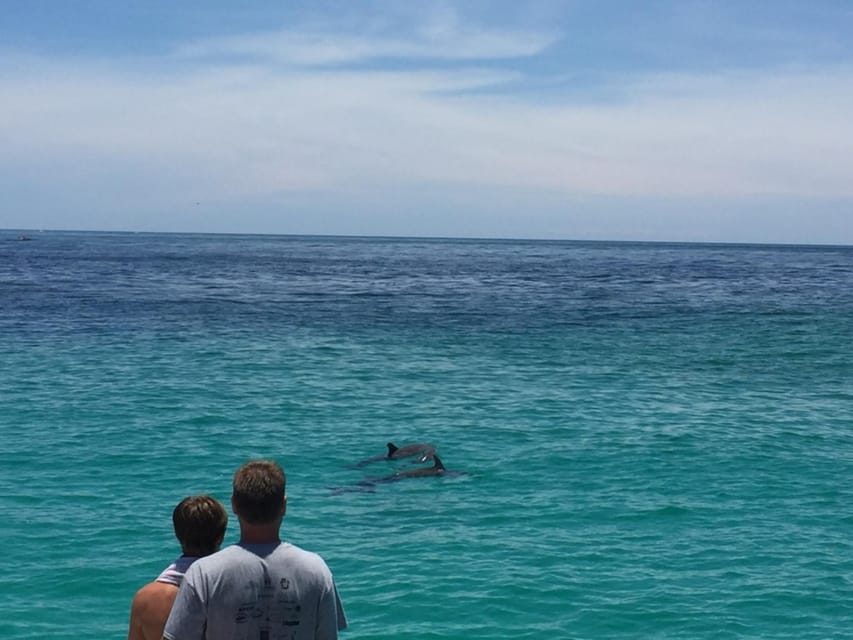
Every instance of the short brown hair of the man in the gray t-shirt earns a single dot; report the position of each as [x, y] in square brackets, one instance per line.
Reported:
[259, 490]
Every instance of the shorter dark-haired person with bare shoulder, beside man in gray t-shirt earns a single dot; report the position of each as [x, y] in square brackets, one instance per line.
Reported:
[199, 523]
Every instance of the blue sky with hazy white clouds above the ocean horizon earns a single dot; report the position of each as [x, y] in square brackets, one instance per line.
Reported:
[668, 120]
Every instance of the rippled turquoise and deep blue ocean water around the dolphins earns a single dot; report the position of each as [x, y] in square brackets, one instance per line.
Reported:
[652, 440]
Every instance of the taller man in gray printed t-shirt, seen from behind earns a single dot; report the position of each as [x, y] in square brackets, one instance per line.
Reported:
[260, 588]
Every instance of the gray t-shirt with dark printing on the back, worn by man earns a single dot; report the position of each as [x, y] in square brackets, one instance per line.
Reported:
[273, 591]
